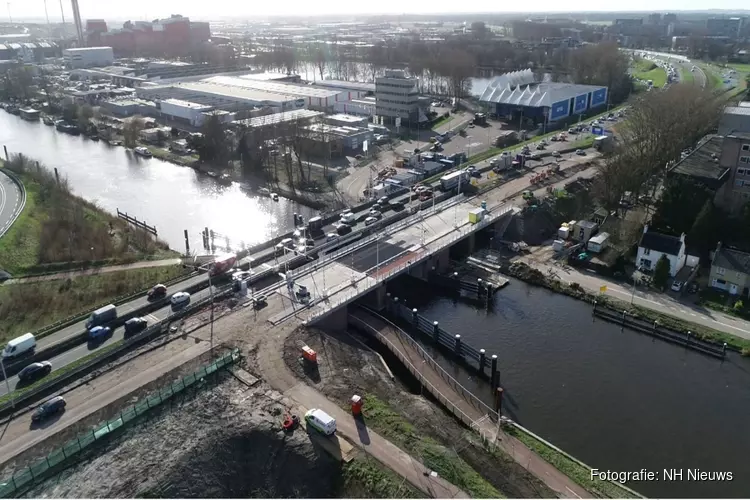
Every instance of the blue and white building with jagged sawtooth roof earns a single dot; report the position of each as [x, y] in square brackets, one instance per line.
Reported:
[518, 94]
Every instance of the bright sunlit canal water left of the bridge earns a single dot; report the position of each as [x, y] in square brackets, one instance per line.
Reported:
[171, 197]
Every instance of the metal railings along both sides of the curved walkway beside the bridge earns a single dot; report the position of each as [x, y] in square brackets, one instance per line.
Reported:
[430, 364]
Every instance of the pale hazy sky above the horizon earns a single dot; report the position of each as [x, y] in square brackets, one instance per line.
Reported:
[216, 9]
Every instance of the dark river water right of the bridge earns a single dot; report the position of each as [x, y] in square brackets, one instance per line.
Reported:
[615, 400]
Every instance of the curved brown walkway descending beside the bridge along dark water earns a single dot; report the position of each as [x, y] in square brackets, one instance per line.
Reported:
[461, 402]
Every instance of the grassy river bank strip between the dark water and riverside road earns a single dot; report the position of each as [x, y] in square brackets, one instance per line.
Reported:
[528, 274]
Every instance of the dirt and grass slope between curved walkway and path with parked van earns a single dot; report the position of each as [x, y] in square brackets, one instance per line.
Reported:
[347, 366]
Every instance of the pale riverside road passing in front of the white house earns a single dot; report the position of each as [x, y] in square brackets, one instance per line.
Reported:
[661, 303]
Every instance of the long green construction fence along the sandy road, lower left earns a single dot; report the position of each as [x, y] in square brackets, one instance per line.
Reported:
[62, 457]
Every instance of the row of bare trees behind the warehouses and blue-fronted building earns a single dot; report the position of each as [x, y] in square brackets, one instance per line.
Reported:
[445, 68]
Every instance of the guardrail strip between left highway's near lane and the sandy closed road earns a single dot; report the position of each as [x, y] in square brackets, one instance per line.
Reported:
[53, 382]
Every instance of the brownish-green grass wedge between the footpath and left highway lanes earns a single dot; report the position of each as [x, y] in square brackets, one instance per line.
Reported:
[26, 307]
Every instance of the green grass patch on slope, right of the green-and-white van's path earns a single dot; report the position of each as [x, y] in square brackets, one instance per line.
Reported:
[435, 456]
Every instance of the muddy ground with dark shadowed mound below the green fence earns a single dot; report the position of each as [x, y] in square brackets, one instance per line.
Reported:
[224, 441]
